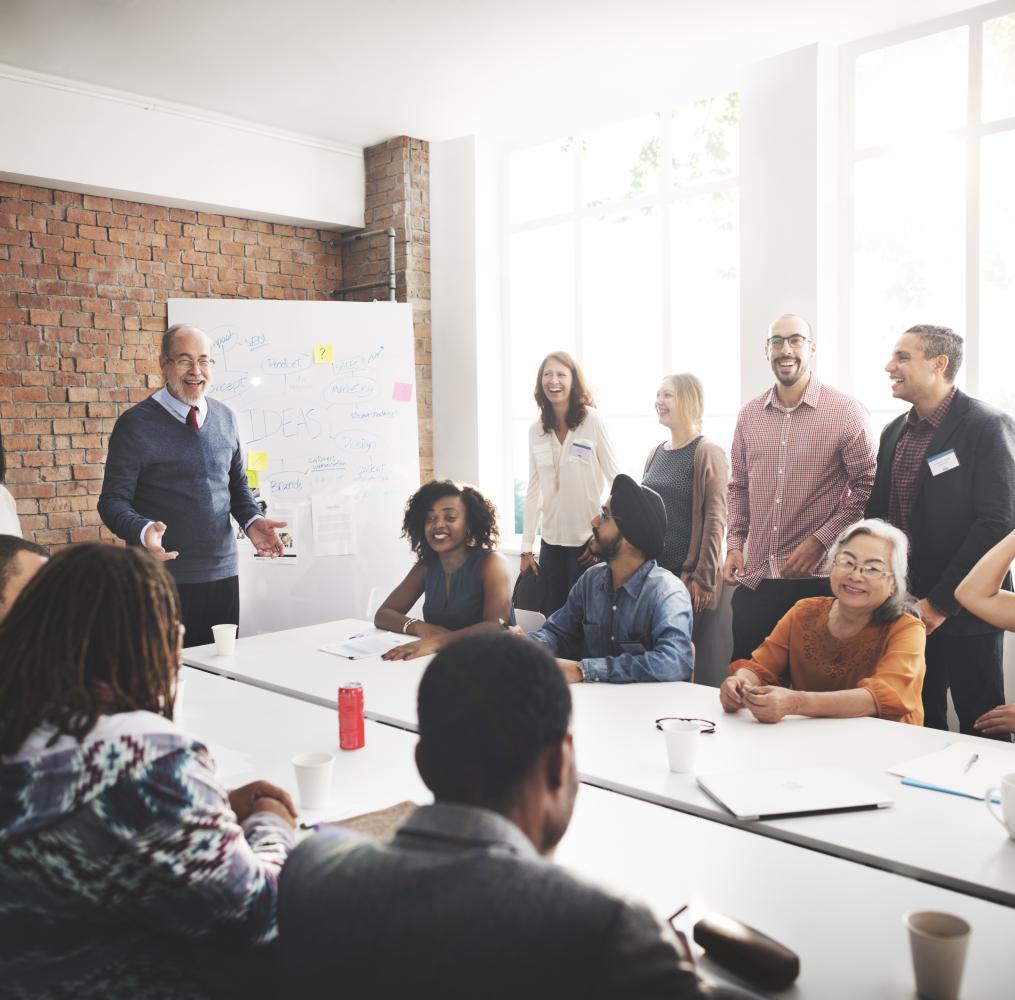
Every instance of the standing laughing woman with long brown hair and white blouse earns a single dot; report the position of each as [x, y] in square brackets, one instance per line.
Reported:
[571, 462]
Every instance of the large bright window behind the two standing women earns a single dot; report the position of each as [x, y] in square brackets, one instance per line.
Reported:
[624, 250]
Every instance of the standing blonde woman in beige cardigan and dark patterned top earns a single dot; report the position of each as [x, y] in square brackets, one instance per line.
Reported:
[691, 474]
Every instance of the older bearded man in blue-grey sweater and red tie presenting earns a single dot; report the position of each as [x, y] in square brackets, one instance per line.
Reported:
[174, 476]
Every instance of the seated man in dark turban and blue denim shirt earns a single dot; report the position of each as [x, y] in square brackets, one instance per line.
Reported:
[628, 619]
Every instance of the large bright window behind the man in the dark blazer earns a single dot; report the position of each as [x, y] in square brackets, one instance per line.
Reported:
[930, 208]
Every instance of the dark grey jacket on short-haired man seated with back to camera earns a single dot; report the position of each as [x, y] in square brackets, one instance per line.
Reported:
[460, 905]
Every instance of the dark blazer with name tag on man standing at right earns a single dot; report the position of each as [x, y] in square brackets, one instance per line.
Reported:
[959, 515]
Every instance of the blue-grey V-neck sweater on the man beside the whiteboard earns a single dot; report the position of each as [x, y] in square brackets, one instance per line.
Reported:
[160, 470]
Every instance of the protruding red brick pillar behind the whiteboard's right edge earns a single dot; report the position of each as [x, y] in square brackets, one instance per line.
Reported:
[398, 196]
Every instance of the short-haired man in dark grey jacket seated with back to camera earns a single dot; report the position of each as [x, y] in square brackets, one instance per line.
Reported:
[464, 903]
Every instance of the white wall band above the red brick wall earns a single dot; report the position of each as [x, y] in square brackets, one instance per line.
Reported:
[73, 137]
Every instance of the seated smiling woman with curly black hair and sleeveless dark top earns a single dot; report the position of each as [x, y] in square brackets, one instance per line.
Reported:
[453, 531]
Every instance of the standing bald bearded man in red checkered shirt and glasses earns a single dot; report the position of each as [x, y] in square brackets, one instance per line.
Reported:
[802, 469]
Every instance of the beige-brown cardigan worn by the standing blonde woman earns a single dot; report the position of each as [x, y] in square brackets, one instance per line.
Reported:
[705, 553]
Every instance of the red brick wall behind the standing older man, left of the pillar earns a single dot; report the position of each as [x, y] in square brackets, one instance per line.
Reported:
[84, 290]
